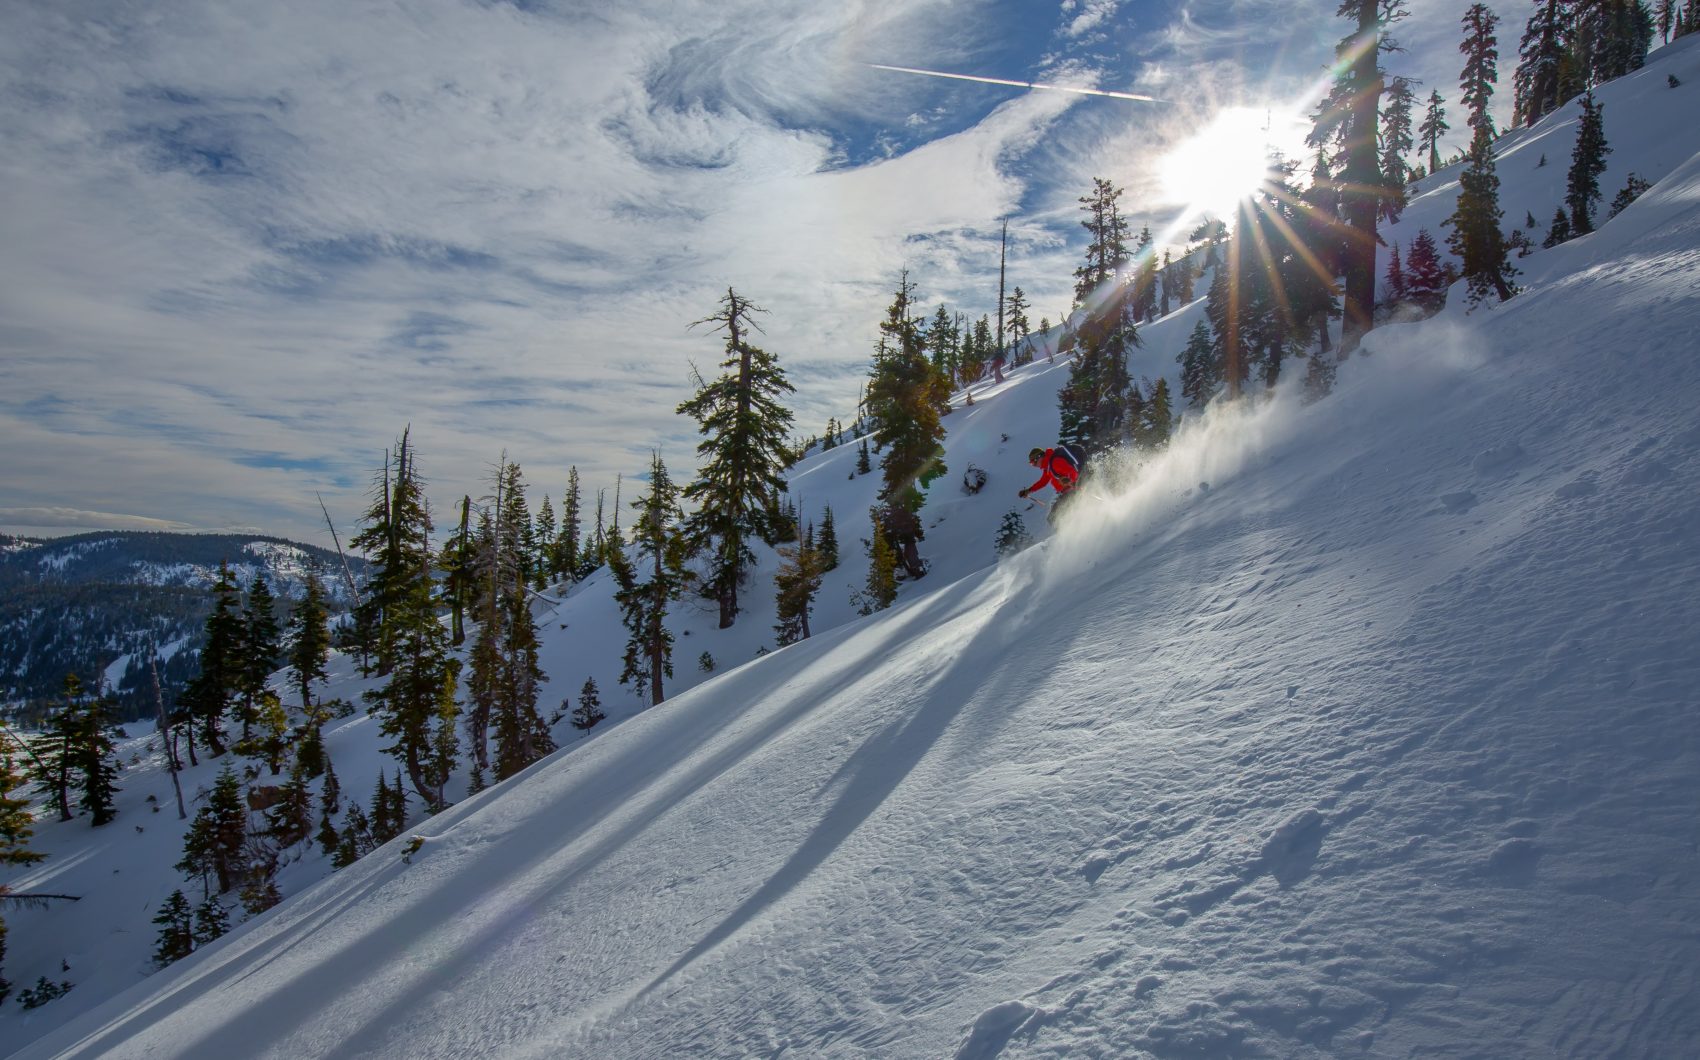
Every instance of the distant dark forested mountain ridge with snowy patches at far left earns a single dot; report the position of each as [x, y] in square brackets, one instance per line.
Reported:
[93, 606]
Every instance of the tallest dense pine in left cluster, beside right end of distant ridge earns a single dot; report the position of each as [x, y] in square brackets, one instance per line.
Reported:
[416, 708]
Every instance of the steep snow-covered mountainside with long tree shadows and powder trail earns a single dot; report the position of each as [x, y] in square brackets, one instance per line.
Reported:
[1361, 728]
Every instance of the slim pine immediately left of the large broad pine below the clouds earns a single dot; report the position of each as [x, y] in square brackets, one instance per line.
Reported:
[643, 604]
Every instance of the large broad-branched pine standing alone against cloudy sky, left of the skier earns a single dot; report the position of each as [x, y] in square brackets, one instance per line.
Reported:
[744, 453]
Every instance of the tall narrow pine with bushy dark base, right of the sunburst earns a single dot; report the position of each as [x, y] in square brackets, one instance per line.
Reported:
[1476, 237]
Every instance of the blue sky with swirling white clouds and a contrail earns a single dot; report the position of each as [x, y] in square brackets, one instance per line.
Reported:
[244, 245]
